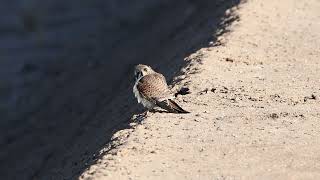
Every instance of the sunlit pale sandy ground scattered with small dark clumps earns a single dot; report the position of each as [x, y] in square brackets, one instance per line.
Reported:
[254, 98]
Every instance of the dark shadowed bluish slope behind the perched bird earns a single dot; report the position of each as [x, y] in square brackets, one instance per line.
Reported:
[66, 74]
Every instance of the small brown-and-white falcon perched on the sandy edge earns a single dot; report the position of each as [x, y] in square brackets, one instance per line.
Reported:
[151, 90]
